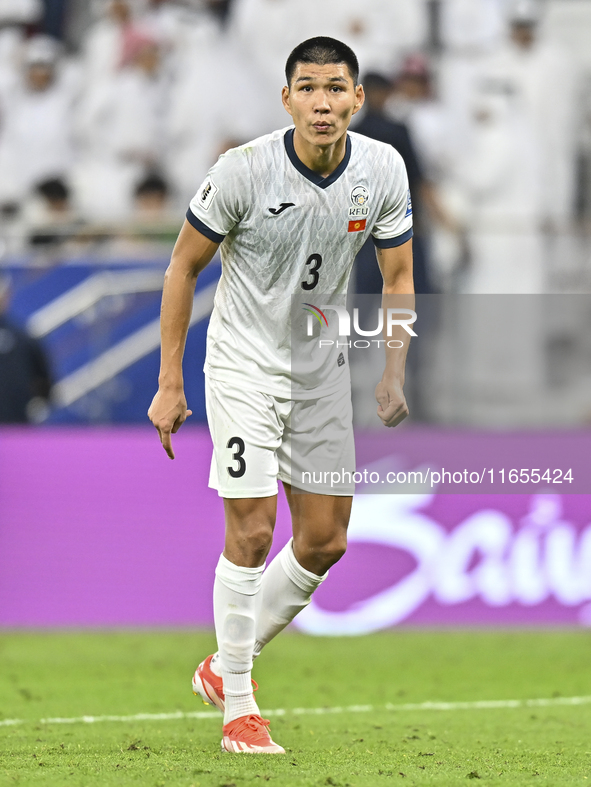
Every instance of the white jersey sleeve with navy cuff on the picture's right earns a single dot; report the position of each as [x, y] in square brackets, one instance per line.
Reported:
[394, 224]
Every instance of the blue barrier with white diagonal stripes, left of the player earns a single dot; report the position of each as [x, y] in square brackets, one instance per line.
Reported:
[98, 323]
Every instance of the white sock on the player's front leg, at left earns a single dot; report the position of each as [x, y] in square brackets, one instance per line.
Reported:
[234, 596]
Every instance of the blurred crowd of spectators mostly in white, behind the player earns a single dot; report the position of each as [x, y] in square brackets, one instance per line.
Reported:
[112, 111]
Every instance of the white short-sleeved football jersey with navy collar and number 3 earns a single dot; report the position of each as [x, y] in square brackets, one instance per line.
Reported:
[286, 231]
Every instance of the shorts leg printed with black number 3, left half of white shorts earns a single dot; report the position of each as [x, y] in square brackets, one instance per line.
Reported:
[246, 433]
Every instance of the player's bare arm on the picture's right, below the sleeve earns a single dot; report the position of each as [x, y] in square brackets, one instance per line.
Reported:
[398, 292]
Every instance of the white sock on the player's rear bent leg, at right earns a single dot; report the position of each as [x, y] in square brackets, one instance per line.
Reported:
[285, 590]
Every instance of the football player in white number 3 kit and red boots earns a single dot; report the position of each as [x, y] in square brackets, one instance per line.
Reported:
[285, 209]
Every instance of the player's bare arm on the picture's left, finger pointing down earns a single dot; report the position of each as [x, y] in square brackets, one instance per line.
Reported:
[192, 252]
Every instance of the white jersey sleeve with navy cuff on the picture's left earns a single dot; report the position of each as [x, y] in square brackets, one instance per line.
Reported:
[222, 199]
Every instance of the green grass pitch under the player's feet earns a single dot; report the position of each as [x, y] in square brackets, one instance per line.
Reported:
[72, 674]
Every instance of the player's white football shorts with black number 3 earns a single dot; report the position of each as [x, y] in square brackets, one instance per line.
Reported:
[258, 438]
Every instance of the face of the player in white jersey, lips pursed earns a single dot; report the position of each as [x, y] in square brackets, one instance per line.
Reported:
[321, 101]
